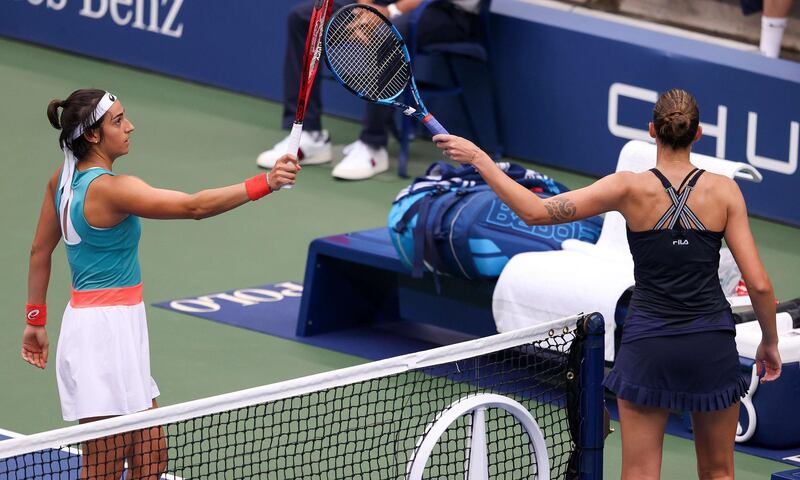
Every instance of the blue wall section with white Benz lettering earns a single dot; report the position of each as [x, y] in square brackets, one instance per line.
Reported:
[237, 44]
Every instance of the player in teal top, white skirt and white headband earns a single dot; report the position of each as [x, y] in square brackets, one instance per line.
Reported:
[103, 360]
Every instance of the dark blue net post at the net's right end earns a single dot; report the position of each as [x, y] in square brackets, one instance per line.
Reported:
[592, 401]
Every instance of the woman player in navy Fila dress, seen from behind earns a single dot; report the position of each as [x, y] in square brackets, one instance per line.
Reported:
[678, 349]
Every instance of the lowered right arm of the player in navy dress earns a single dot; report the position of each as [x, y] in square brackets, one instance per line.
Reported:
[743, 247]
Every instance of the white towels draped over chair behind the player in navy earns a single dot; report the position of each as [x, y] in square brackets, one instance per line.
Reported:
[541, 286]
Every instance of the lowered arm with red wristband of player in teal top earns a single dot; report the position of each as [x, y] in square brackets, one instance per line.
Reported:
[35, 343]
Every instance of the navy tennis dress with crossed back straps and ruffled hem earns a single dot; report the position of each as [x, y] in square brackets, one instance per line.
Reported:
[678, 341]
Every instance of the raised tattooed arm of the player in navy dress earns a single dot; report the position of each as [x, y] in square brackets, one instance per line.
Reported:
[602, 196]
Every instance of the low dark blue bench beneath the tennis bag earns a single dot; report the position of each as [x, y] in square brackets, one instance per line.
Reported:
[356, 280]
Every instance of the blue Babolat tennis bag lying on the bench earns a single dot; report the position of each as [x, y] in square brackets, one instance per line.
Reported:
[449, 221]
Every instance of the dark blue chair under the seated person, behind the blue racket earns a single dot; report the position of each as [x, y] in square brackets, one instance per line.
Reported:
[467, 64]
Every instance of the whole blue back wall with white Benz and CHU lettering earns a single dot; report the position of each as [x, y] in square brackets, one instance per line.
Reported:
[572, 88]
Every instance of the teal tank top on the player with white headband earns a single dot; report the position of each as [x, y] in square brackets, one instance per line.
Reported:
[104, 257]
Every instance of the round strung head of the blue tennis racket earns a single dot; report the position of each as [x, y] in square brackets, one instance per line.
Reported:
[367, 54]
